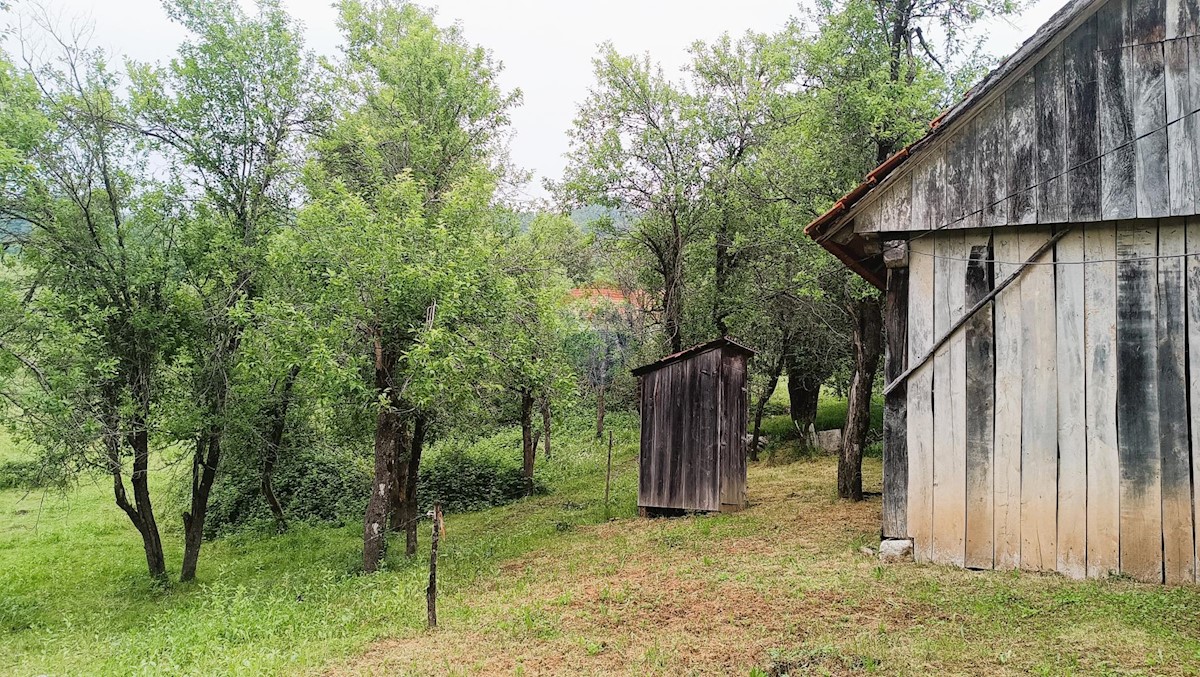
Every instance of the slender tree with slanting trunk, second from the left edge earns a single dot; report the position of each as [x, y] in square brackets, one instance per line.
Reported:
[230, 109]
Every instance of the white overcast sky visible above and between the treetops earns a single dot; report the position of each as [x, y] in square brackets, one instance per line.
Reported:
[547, 46]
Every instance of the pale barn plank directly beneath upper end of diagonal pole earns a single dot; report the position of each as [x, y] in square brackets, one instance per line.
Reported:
[1072, 423]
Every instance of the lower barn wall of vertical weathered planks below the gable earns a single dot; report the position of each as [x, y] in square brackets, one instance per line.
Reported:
[1052, 433]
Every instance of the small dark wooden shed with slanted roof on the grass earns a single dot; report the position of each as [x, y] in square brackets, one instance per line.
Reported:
[694, 424]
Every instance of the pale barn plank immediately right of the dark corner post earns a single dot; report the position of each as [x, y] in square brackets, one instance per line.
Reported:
[921, 398]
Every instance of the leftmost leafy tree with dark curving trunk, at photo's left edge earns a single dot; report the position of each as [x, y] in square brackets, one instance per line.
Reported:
[92, 311]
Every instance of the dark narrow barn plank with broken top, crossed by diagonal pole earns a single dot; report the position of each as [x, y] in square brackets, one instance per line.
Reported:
[981, 404]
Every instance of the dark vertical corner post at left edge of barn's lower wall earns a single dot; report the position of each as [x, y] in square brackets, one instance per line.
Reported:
[896, 408]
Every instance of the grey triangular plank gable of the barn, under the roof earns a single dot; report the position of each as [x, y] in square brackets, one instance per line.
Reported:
[1101, 125]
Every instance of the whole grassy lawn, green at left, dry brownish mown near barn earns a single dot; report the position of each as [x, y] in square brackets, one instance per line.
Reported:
[548, 586]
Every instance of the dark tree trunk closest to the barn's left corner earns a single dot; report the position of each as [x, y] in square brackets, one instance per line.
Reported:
[868, 348]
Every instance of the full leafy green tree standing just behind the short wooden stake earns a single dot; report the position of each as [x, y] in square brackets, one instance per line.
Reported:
[401, 223]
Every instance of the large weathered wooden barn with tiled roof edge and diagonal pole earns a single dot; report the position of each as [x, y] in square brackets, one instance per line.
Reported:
[1041, 255]
